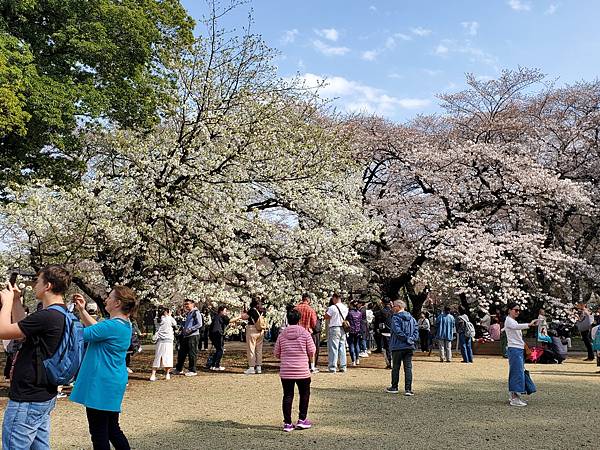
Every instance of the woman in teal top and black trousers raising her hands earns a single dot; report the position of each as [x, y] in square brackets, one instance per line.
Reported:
[102, 378]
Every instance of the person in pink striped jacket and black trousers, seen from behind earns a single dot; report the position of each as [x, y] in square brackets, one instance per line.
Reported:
[295, 348]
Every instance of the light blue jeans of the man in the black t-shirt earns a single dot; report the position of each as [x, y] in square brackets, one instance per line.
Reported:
[27, 425]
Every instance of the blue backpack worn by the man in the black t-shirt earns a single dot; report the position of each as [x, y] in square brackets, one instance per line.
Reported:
[64, 364]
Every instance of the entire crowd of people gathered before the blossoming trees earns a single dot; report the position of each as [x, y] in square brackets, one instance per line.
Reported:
[357, 328]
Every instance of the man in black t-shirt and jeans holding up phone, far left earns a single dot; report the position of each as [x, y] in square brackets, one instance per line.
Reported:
[32, 395]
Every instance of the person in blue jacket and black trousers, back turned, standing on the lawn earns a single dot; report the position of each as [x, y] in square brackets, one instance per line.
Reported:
[403, 342]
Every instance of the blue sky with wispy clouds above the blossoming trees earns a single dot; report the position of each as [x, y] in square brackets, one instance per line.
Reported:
[392, 57]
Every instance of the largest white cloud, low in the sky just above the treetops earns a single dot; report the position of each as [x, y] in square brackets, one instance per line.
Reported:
[354, 96]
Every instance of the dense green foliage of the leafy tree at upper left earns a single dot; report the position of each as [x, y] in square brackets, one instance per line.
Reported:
[67, 63]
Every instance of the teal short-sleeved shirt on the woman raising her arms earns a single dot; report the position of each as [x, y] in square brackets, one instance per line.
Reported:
[102, 377]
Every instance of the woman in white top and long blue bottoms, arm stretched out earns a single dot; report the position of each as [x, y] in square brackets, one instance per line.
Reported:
[516, 354]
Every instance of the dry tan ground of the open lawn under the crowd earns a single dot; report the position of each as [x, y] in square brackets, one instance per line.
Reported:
[455, 406]
